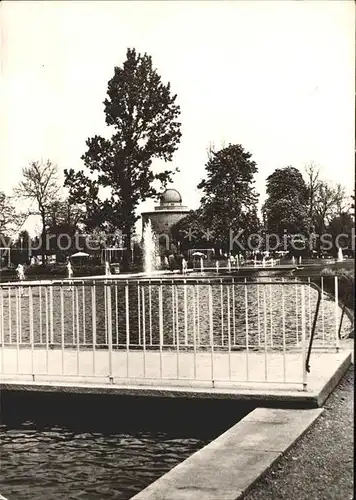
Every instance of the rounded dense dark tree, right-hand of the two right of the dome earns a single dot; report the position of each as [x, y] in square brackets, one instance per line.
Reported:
[286, 207]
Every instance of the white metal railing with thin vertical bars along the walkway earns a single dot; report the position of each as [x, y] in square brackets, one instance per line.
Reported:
[187, 329]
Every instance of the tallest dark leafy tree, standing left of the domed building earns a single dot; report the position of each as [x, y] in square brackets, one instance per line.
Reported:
[144, 116]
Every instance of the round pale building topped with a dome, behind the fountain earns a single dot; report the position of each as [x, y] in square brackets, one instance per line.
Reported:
[167, 213]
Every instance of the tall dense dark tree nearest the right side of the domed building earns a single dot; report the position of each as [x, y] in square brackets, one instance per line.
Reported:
[229, 202]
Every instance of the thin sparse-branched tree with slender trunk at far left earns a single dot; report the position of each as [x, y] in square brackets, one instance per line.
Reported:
[40, 185]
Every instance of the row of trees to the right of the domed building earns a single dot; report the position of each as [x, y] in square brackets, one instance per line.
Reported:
[302, 214]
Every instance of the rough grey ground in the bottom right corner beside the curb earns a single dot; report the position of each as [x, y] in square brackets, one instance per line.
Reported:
[320, 465]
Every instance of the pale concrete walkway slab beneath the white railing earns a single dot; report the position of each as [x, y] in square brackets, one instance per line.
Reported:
[170, 375]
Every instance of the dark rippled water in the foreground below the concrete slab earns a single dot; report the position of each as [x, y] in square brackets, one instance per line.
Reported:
[55, 447]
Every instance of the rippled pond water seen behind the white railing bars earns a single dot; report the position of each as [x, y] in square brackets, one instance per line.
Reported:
[190, 314]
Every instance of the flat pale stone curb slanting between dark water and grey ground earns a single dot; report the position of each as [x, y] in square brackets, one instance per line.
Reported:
[228, 467]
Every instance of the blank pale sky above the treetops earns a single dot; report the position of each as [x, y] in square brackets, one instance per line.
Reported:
[276, 77]
